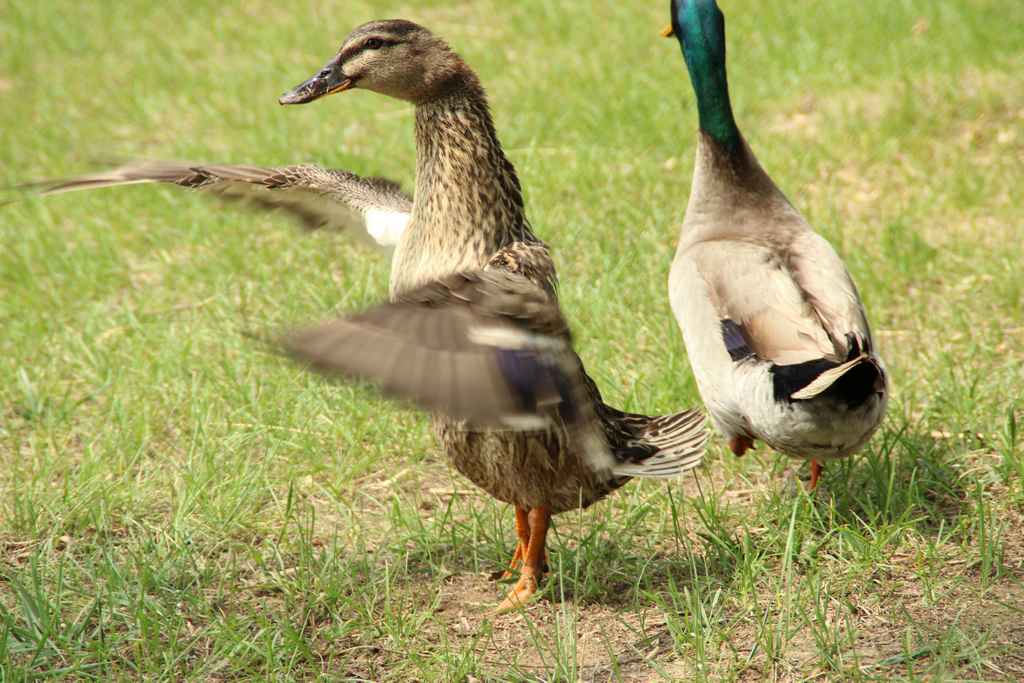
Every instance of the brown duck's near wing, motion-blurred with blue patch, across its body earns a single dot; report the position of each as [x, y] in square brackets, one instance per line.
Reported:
[489, 348]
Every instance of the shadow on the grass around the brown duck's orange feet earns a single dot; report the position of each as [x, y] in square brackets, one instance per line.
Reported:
[609, 558]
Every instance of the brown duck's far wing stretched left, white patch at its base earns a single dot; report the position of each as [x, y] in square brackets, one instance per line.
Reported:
[373, 209]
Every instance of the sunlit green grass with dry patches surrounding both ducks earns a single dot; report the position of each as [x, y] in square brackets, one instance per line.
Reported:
[178, 505]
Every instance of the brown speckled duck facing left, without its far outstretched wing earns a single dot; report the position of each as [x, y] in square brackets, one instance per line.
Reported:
[474, 330]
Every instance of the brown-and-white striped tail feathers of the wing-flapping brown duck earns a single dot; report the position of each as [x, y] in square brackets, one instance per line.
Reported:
[660, 448]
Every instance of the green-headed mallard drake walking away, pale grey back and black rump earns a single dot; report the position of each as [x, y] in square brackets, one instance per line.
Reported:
[775, 329]
